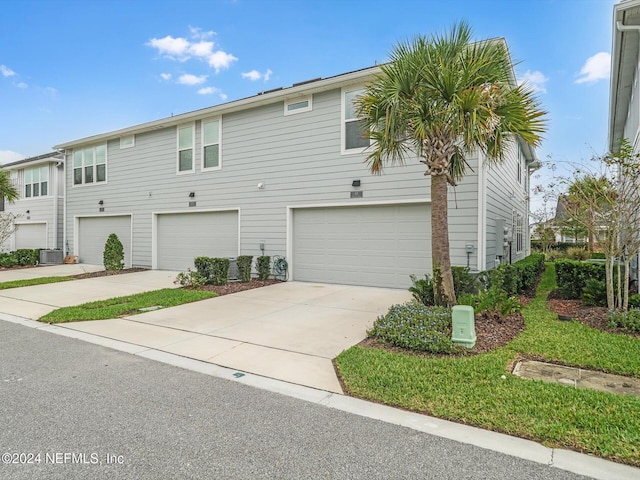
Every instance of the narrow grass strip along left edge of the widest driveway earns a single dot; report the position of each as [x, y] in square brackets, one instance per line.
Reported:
[129, 305]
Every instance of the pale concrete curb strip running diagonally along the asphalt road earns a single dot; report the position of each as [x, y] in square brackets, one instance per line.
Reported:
[567, 460]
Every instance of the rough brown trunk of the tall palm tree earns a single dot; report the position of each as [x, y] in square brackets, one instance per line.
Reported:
[441, 261]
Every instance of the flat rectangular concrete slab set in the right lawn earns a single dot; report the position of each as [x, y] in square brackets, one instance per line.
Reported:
[577, 377]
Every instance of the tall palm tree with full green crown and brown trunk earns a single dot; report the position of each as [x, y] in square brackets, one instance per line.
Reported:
[439, 99]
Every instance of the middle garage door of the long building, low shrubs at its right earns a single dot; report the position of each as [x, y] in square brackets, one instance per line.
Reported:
[183, 236]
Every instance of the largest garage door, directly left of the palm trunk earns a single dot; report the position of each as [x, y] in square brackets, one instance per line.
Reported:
[369, 245]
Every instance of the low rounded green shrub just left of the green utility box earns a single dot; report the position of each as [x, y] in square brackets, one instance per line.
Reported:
[416, 327]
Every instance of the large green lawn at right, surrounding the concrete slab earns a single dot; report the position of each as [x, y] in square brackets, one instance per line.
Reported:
[470, 389]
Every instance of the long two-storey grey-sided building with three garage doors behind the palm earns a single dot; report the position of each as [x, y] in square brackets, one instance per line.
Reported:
[283, 173]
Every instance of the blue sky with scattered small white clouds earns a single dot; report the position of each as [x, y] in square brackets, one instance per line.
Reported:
[70, 69]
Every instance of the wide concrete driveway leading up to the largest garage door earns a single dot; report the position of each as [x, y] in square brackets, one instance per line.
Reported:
[289, 331]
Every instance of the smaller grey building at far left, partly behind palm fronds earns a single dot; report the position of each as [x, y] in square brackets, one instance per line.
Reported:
[39, 208]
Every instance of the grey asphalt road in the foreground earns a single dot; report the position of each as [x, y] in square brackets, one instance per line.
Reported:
[74, 410]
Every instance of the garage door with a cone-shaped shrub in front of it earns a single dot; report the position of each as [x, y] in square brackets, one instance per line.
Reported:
[93, 233]
